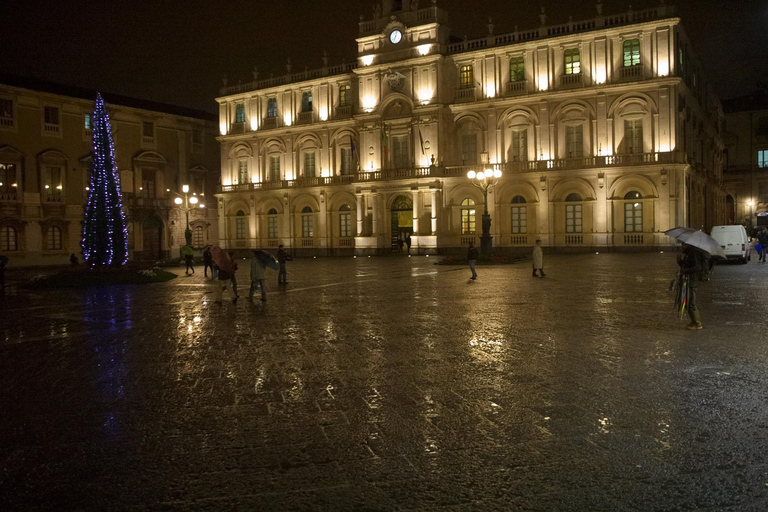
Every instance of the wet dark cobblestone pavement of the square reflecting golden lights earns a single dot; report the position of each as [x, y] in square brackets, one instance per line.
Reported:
[390, 384]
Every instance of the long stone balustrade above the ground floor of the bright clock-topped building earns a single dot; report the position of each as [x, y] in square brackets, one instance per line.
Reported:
[438, 171]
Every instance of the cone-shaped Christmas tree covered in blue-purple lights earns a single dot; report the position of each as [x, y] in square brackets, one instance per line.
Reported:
[105, 237]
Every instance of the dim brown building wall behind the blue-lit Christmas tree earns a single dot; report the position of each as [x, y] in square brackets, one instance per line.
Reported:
[167, 151]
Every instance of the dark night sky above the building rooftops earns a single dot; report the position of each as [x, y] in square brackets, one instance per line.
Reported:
[177, 52]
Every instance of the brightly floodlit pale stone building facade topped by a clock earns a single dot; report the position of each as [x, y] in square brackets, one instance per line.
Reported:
[551, 133]
